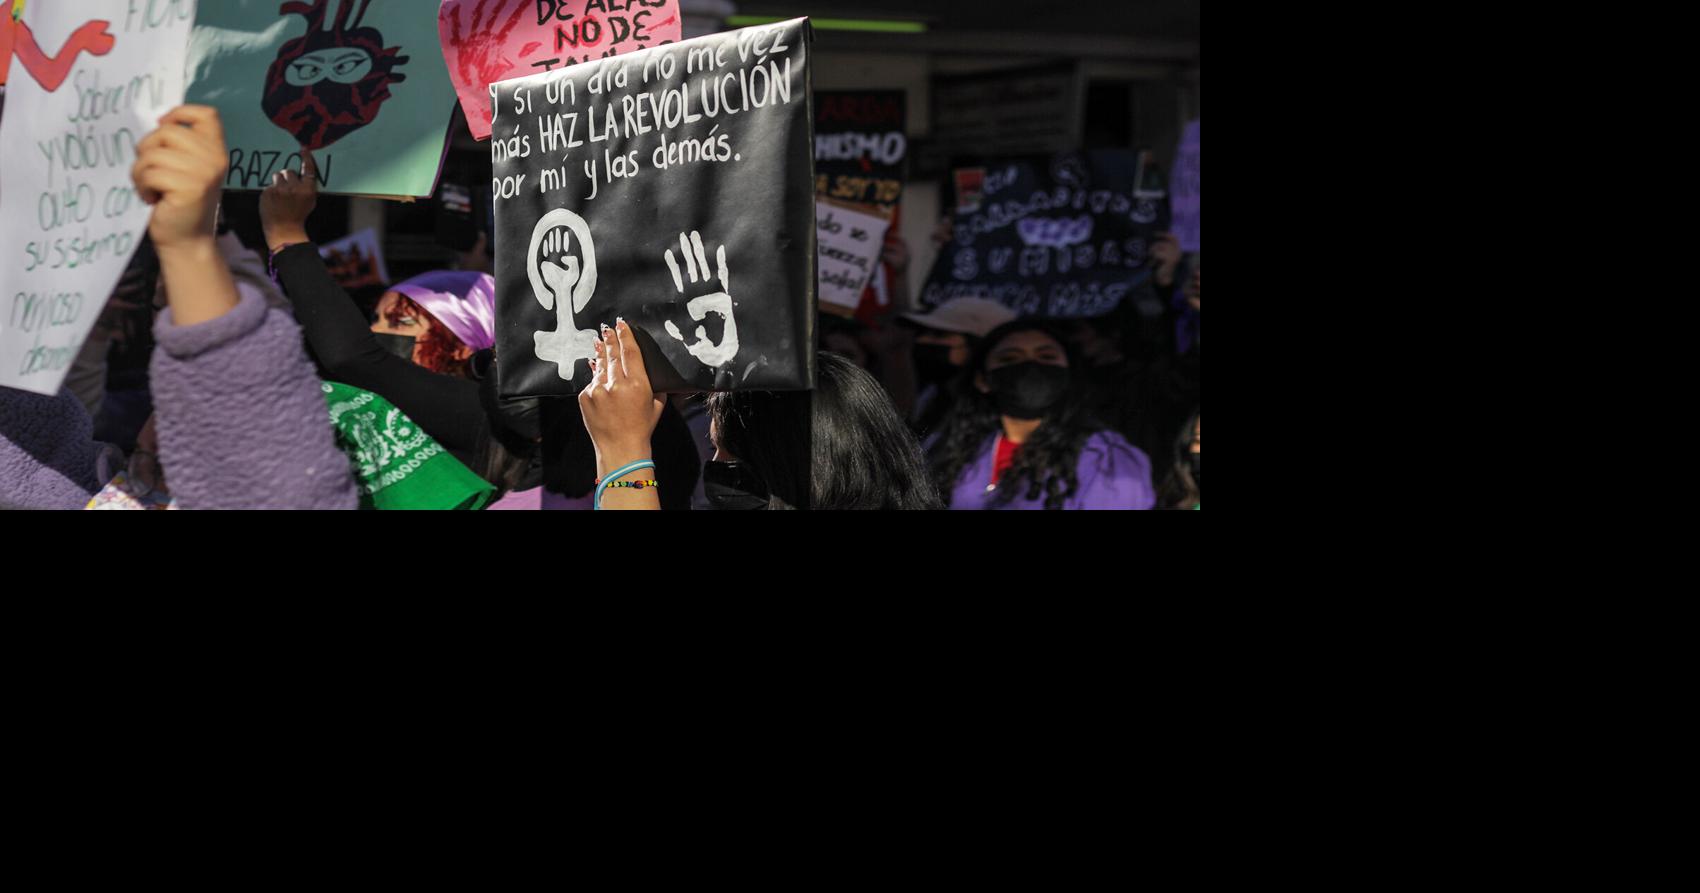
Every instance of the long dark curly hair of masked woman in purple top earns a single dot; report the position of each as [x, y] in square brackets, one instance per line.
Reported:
[1048, 462]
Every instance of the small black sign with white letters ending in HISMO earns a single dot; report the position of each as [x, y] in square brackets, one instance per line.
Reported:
[861, 145]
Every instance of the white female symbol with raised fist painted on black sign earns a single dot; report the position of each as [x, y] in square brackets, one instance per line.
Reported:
[564, 283]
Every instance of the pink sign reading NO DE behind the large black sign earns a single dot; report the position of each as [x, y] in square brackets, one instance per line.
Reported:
[487, 42]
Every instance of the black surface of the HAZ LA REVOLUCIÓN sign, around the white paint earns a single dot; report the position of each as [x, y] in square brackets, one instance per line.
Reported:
[761, 208]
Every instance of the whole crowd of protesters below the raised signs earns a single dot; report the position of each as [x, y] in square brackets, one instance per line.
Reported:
[234, 378]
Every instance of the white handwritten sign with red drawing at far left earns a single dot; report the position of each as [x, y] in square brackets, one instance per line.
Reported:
[71, 219]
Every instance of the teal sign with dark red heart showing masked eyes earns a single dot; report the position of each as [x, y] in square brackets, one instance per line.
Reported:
[358, 82]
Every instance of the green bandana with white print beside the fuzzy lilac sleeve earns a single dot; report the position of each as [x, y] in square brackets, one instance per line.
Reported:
[397, 465]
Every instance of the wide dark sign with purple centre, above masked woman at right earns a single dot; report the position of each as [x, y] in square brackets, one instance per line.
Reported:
[1060, 237]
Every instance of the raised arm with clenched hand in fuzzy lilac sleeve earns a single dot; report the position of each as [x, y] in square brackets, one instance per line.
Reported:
[241, 414]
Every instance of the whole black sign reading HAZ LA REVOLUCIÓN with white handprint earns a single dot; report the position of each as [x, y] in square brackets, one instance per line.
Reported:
[672, 188]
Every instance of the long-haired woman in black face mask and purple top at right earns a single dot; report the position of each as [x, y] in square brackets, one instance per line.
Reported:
[1021, 435]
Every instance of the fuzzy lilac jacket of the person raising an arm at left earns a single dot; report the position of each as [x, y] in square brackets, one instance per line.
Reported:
[242, 424]
